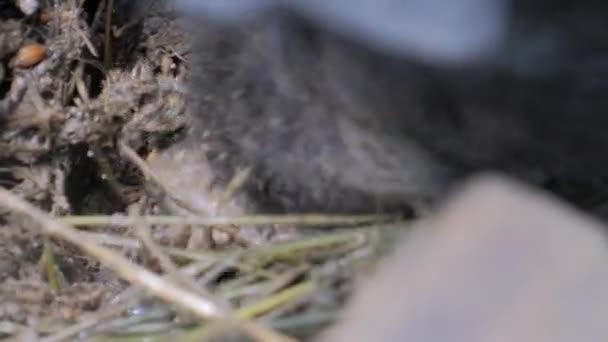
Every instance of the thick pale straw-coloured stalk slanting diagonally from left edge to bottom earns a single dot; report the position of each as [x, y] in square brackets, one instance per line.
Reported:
[153, 283]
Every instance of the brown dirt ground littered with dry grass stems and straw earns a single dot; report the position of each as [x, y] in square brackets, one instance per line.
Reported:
[92, 101]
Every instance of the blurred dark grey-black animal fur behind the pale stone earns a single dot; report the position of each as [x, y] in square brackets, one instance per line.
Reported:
[333, 126]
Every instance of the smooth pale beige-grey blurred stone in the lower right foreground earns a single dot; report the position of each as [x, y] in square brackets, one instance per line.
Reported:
[498, 263]
